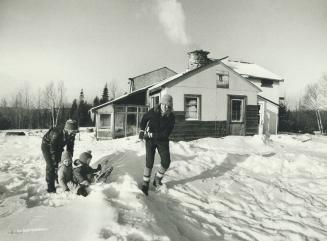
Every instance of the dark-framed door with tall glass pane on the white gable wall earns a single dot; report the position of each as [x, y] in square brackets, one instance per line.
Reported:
[236, 115]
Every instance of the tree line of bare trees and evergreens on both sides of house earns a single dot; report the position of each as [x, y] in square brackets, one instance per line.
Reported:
[49, 107]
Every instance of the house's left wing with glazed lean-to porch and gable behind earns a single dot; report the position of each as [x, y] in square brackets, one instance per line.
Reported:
[121, 117]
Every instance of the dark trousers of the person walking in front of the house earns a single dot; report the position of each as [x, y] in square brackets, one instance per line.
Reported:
[163, 150]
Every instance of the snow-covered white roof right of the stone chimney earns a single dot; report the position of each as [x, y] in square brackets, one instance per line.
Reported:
[248, 70]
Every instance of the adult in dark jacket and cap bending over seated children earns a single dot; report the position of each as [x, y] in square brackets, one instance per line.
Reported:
[53, 143]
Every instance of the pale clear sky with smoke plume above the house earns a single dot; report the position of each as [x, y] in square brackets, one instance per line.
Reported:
[87, 44]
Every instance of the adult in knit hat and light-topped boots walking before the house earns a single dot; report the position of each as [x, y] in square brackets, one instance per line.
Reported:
[156, 126]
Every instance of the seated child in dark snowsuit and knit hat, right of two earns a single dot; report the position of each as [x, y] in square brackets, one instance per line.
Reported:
[82, 172]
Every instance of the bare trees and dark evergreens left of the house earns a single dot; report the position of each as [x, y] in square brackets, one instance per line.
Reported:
[49, 107]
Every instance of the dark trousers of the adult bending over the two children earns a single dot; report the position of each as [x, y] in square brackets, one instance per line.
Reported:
[50, 170]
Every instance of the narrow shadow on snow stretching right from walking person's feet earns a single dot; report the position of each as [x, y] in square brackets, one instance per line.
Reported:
[229, 163]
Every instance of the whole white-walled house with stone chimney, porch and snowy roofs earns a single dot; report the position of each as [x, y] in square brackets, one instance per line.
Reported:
[212, 98]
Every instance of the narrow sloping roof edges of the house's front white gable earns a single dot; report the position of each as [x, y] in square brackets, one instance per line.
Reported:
[190, 72]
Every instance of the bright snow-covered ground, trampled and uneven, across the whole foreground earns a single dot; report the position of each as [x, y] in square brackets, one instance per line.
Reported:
[232, 188]
